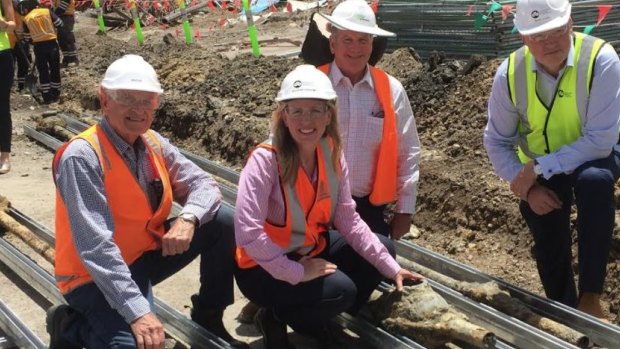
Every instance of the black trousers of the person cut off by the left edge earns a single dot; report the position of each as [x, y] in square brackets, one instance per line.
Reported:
[6, 82]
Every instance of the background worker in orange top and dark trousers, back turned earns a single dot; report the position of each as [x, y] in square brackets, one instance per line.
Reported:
[39, 27]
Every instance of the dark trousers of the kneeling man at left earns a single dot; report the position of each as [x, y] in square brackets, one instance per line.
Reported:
[94, 324]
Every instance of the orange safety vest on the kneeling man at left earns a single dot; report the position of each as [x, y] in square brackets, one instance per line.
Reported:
[137, 228]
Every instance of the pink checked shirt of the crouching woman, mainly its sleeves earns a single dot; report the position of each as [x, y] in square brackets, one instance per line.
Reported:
[260, 198]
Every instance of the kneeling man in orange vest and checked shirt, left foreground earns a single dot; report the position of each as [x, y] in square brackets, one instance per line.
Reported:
[115, 186]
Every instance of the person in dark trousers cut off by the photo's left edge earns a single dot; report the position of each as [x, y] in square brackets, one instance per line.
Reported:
[7, 25]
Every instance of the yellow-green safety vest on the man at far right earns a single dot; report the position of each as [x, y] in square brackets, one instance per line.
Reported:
[542, 129]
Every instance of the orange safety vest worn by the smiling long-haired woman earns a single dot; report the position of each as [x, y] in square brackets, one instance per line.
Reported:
[309, 212]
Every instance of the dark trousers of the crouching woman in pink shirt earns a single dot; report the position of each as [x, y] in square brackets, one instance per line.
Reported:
[309, 305]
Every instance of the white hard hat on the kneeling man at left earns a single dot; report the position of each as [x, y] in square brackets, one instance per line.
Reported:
[131, 72]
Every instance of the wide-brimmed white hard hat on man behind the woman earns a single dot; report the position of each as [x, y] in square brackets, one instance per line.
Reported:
[357, 16]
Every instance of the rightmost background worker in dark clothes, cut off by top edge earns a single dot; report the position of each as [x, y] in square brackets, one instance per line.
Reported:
[65, 10]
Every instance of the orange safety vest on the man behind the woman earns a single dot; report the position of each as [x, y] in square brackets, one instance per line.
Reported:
[386, 169]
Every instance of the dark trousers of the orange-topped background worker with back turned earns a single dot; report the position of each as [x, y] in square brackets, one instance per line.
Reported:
[48, 65]
